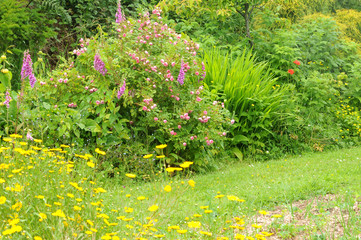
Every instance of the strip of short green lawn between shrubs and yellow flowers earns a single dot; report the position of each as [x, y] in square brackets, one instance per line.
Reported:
[262, 184]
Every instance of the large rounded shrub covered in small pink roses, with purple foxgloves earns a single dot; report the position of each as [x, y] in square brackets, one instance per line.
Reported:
[131, 90]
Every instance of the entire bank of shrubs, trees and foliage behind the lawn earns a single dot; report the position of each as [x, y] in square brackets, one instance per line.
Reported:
[286, 70]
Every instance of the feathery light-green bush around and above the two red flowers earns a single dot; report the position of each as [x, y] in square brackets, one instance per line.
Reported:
[316, 43]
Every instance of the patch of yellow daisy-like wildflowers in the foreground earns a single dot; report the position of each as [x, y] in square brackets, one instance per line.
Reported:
[54, 193]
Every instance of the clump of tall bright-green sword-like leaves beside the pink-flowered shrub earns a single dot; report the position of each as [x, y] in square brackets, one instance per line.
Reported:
[251, 92]
